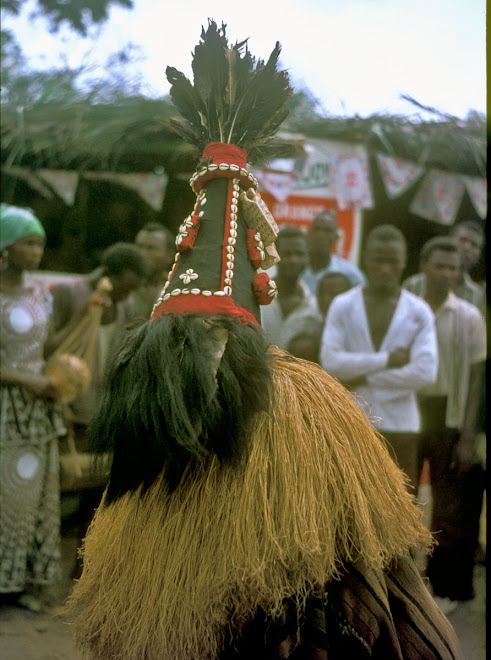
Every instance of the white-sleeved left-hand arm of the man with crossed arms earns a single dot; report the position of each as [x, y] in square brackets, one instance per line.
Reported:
[335, 356]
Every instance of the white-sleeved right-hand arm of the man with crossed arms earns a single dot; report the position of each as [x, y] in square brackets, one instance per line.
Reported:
[422, 365]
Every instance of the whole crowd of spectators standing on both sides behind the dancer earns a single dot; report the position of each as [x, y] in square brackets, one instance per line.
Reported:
[411, 351]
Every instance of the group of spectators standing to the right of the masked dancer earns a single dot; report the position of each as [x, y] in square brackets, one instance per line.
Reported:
[413, 354]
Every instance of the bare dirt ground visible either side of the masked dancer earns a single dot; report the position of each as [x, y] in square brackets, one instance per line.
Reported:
[48, 636]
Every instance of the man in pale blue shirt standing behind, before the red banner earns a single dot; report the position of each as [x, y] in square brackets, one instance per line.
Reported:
[321, 239]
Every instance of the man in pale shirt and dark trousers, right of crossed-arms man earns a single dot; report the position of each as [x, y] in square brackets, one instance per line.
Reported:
[449, 409]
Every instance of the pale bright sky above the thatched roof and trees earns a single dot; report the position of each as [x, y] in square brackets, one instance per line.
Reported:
[355, 56]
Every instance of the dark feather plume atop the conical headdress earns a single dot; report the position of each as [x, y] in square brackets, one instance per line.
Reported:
[234, 99]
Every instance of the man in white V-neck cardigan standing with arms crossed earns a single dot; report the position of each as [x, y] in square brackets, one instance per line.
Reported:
[380, 341]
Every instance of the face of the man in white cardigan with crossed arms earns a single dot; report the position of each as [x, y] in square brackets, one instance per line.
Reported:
[384, 263]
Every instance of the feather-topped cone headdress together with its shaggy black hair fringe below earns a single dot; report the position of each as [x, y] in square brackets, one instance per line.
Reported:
[187, 383]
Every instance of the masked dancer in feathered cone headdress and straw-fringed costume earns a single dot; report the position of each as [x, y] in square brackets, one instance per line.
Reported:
[252, 511]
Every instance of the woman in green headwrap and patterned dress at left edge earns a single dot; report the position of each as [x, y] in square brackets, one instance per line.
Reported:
[31, 420]
